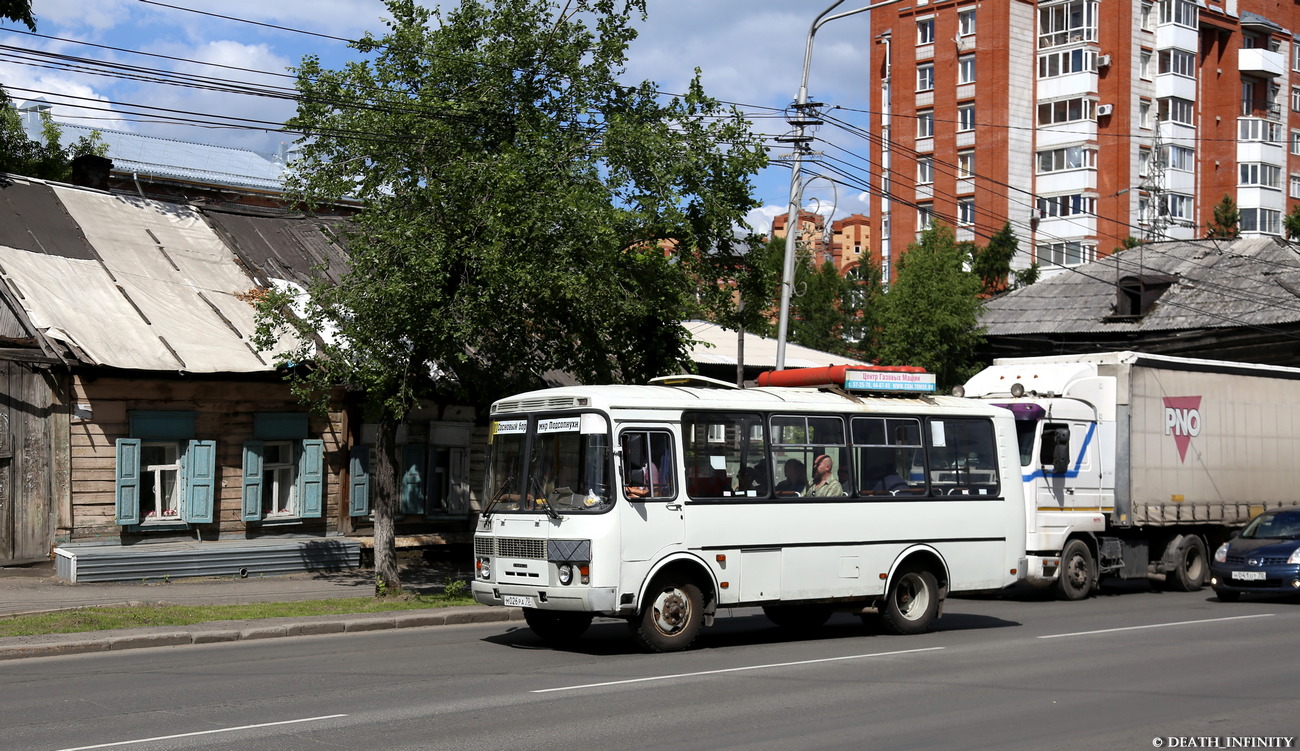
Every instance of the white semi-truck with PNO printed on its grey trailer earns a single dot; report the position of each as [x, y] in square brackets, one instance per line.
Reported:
[1137, 466]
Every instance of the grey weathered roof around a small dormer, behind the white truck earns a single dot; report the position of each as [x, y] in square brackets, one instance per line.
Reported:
[1216, 284]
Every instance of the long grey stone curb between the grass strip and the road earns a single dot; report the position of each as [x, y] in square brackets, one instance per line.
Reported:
[83, 644]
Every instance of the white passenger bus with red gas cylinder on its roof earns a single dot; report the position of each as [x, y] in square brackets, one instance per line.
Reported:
[662, 503]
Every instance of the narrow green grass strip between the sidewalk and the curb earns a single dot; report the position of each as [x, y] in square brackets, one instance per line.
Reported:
[105, 618]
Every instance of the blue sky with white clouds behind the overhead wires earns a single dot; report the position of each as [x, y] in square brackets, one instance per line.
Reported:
[749, 51]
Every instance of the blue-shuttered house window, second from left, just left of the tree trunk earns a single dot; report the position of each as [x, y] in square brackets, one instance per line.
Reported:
[284, 472]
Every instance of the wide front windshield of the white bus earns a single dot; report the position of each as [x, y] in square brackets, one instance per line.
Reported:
[556, 465]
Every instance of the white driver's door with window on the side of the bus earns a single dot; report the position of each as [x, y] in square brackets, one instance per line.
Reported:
[653, 518]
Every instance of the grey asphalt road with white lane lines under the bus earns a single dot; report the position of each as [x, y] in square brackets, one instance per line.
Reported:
[1115, 672]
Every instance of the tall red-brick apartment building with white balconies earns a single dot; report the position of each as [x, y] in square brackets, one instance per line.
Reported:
[1084, 123]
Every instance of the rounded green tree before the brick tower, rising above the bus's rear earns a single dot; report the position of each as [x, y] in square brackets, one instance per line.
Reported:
[930, 312]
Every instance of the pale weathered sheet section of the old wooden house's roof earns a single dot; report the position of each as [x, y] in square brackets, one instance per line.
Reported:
[161, 293]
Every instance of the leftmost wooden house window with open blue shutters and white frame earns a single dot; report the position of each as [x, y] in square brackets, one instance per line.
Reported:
[163, 476]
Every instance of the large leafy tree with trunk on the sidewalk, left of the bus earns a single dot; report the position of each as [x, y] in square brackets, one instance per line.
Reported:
[523, 211]
